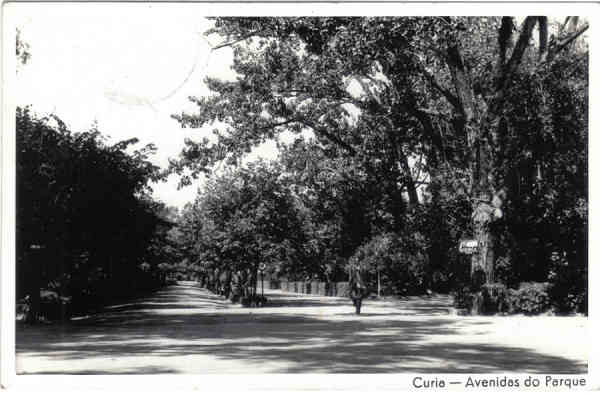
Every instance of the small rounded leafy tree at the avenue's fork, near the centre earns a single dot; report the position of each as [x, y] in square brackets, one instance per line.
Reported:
[244, 217]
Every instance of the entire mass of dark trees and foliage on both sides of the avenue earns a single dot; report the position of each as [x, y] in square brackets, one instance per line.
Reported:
[397, 137]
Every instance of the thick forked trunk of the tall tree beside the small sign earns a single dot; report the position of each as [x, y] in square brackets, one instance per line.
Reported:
[484, 130]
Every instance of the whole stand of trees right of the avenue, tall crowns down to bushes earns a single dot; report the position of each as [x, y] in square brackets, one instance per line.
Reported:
[411, 133]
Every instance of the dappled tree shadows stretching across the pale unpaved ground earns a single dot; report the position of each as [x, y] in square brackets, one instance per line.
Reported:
[300, 343]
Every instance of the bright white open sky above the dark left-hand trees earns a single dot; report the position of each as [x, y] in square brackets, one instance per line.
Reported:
[128, 68]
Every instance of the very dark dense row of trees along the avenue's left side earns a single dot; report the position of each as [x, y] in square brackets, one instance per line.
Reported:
[87, 228]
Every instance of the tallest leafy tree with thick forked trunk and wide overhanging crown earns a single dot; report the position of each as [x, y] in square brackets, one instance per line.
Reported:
[436, 88]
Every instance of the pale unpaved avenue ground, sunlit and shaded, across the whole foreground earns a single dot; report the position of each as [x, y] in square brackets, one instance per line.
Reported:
[185, 329]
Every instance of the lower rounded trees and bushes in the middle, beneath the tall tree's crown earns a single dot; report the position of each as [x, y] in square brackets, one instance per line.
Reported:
[304, 229]
